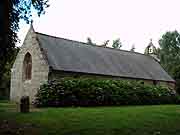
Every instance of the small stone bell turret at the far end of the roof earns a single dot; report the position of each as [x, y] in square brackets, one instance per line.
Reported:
[151, 51]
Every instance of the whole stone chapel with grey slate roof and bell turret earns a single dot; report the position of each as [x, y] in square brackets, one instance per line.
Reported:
[44, 57]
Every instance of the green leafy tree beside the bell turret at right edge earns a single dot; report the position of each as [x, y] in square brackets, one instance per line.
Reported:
[169, 54]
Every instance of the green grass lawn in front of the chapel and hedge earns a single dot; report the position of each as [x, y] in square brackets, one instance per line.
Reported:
[125, 120]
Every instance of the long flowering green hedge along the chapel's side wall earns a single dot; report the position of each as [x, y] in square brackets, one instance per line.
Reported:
[91, 92]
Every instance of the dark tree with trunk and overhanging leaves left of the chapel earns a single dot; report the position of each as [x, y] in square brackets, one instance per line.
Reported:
[12, 12]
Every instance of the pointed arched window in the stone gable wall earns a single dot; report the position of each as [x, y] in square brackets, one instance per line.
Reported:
[27, 66]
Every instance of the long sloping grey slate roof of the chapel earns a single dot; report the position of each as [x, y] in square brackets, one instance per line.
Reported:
[74, 56]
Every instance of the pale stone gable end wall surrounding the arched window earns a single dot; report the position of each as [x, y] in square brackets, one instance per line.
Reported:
[40, 69]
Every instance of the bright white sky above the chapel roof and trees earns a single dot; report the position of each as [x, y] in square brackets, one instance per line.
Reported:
[133, 21]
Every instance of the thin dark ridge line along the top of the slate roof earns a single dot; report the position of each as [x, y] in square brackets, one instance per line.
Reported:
[91, 45]
